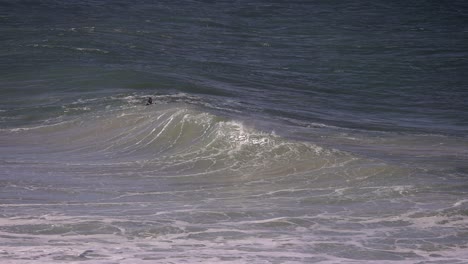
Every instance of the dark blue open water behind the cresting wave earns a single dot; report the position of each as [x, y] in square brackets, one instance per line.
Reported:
[372, 65]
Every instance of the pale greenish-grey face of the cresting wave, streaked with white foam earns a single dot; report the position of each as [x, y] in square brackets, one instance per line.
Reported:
[168, 141]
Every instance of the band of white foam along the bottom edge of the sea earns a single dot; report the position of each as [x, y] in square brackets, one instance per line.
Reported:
[184, 249]
